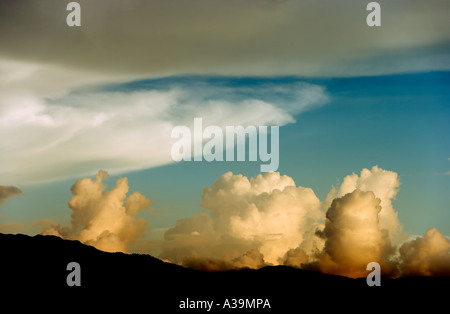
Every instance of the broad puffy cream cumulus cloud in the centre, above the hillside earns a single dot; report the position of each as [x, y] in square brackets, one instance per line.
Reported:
[245, 222]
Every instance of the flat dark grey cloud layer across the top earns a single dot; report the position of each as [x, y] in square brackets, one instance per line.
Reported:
[228, 37]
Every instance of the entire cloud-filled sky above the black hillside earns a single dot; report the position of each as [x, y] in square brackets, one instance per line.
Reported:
[361, 110]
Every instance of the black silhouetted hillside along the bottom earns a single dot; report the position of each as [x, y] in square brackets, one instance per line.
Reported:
[36, 266]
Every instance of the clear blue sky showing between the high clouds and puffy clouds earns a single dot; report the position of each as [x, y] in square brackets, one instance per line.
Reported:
[398, 122]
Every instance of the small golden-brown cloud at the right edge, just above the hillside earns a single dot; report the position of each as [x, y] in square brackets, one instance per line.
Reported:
[426, 256]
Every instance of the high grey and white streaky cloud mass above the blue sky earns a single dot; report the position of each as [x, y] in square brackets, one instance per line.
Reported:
[50, 113]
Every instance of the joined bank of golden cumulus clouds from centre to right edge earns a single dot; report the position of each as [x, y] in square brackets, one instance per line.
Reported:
[268, 220]
